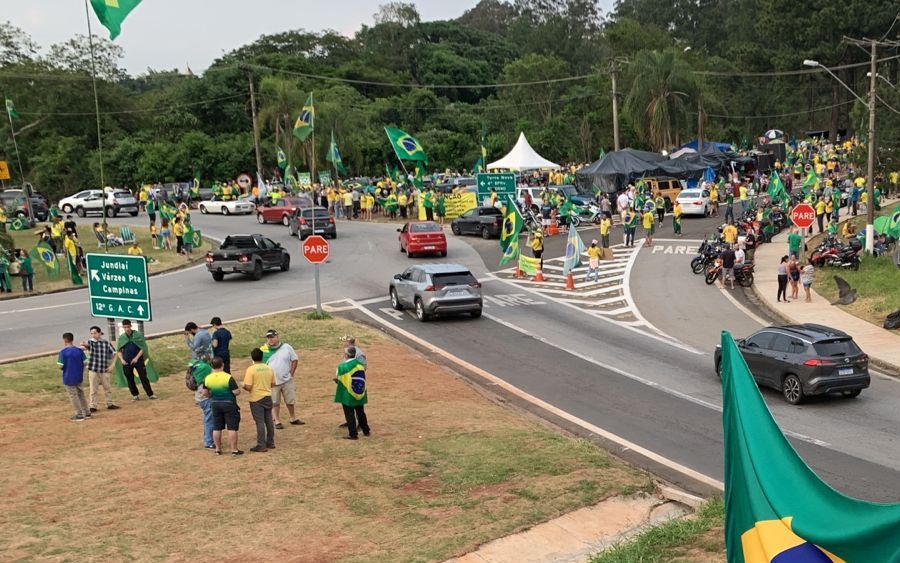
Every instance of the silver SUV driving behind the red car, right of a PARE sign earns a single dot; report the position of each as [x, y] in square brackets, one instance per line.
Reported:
[437, 289]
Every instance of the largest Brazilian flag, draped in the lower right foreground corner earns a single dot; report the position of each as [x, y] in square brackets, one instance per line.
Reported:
[778, 510]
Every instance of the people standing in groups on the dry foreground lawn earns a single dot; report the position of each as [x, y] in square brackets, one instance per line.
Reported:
[269, 381]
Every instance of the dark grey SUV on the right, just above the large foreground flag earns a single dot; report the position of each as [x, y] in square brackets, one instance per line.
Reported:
[802, 360]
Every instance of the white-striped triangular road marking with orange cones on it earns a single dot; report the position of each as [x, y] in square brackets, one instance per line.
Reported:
[607, 297]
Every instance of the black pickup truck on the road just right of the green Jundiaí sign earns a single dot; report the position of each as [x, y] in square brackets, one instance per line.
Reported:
[247, 254]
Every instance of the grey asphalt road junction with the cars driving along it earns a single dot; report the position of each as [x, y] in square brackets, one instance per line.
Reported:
[656, 390]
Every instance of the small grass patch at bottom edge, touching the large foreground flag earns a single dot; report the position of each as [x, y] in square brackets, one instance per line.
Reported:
[698, 538]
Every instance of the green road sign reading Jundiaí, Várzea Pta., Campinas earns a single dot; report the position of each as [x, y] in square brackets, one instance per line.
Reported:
[119, 286]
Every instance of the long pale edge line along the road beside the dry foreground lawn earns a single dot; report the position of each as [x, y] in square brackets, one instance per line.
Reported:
[622, 442]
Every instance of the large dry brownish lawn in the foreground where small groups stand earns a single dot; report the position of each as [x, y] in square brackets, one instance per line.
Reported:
[444, 470]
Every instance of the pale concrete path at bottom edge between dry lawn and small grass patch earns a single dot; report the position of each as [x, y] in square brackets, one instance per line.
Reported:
[574, 537]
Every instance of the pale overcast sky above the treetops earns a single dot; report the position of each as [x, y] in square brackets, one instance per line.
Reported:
[167, 34]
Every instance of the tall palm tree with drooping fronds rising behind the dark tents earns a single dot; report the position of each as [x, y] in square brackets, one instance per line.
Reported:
[659, 98]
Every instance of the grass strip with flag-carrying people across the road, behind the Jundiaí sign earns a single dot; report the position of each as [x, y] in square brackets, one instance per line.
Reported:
[159, 260]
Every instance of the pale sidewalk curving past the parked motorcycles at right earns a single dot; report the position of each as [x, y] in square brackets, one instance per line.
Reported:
[881, 345]
